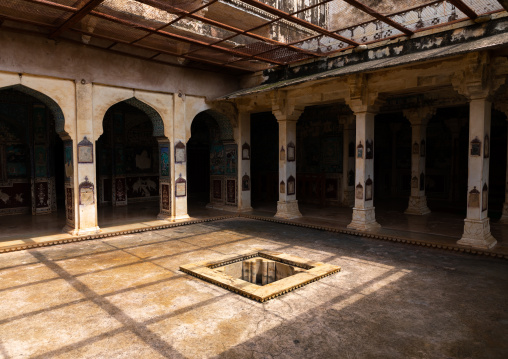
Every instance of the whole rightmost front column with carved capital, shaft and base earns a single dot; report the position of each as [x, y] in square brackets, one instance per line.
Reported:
[477, 85]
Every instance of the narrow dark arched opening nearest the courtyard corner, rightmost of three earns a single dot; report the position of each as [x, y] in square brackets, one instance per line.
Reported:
[212, 166]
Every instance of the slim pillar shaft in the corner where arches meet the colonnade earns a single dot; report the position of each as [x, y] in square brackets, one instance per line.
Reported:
[244, 155]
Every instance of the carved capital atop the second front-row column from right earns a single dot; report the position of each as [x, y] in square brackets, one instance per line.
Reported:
[361, 99]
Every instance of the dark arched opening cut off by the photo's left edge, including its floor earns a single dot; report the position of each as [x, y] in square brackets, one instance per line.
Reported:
[32, 169]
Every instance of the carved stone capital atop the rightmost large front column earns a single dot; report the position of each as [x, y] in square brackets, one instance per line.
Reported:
[476, 80]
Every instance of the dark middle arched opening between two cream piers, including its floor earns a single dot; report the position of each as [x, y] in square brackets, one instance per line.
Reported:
[129, 165]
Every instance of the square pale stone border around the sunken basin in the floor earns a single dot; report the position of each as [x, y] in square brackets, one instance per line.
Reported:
[206, 270]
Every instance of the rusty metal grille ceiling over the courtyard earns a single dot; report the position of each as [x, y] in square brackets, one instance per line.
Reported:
[246, 35]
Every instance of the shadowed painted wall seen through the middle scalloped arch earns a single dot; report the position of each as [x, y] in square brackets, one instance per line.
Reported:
[129, 158]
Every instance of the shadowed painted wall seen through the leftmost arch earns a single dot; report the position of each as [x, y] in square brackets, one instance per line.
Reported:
[27, 161]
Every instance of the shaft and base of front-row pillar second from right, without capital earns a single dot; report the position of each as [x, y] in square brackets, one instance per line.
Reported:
[364, 217]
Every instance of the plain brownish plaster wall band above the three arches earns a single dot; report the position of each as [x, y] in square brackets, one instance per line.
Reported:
[24, 53]
